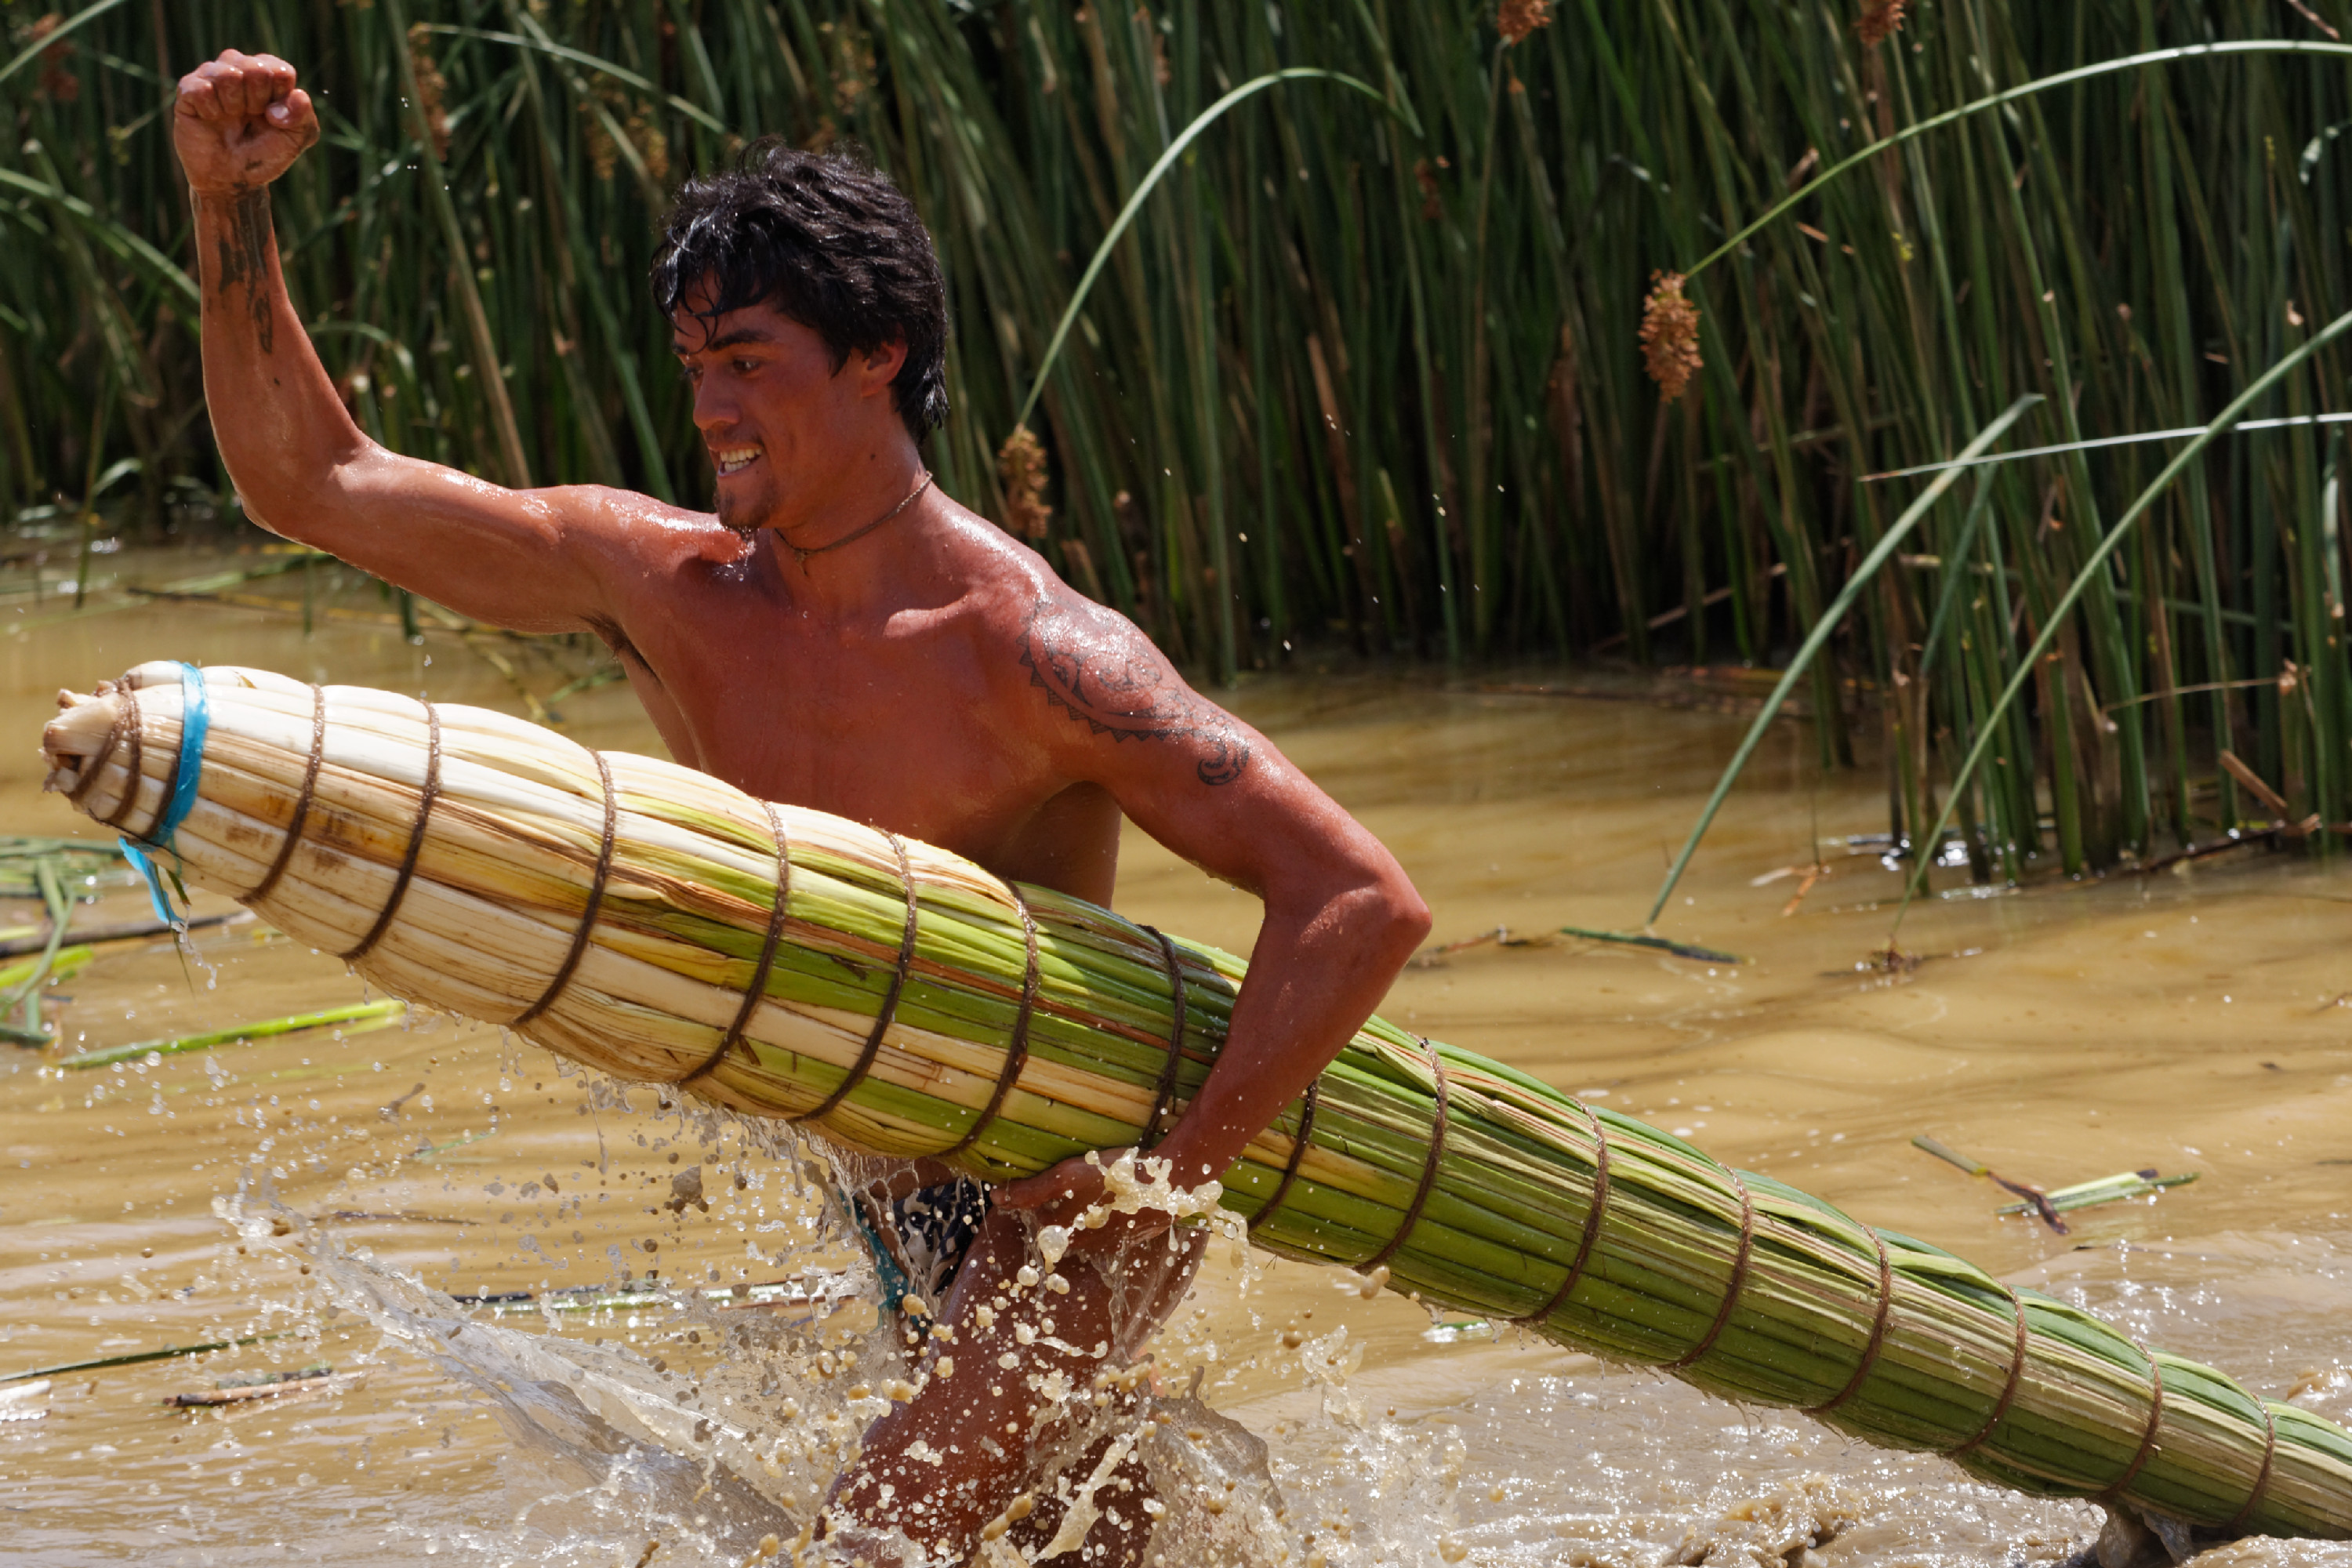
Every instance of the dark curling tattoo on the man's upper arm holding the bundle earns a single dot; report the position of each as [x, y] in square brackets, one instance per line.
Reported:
[1118, 685]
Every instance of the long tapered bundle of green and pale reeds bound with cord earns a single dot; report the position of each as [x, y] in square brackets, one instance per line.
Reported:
[664, 927]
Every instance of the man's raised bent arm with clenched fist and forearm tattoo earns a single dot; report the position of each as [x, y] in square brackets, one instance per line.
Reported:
[530, 561]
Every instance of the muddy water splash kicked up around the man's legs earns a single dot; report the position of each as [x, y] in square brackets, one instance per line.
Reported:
[728, 1456]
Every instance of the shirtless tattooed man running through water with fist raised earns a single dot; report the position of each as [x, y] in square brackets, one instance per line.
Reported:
[841, 636]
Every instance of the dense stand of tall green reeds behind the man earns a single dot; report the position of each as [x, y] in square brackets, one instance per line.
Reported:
[1368, 368]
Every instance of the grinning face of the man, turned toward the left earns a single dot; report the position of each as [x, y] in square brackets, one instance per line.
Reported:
[777, 415]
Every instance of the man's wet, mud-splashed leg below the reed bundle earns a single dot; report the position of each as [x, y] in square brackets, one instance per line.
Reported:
[1015, 1369]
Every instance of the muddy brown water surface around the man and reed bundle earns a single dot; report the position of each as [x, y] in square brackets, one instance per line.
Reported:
[335, 1188]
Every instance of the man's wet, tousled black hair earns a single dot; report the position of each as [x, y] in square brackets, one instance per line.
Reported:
[831, 243]
